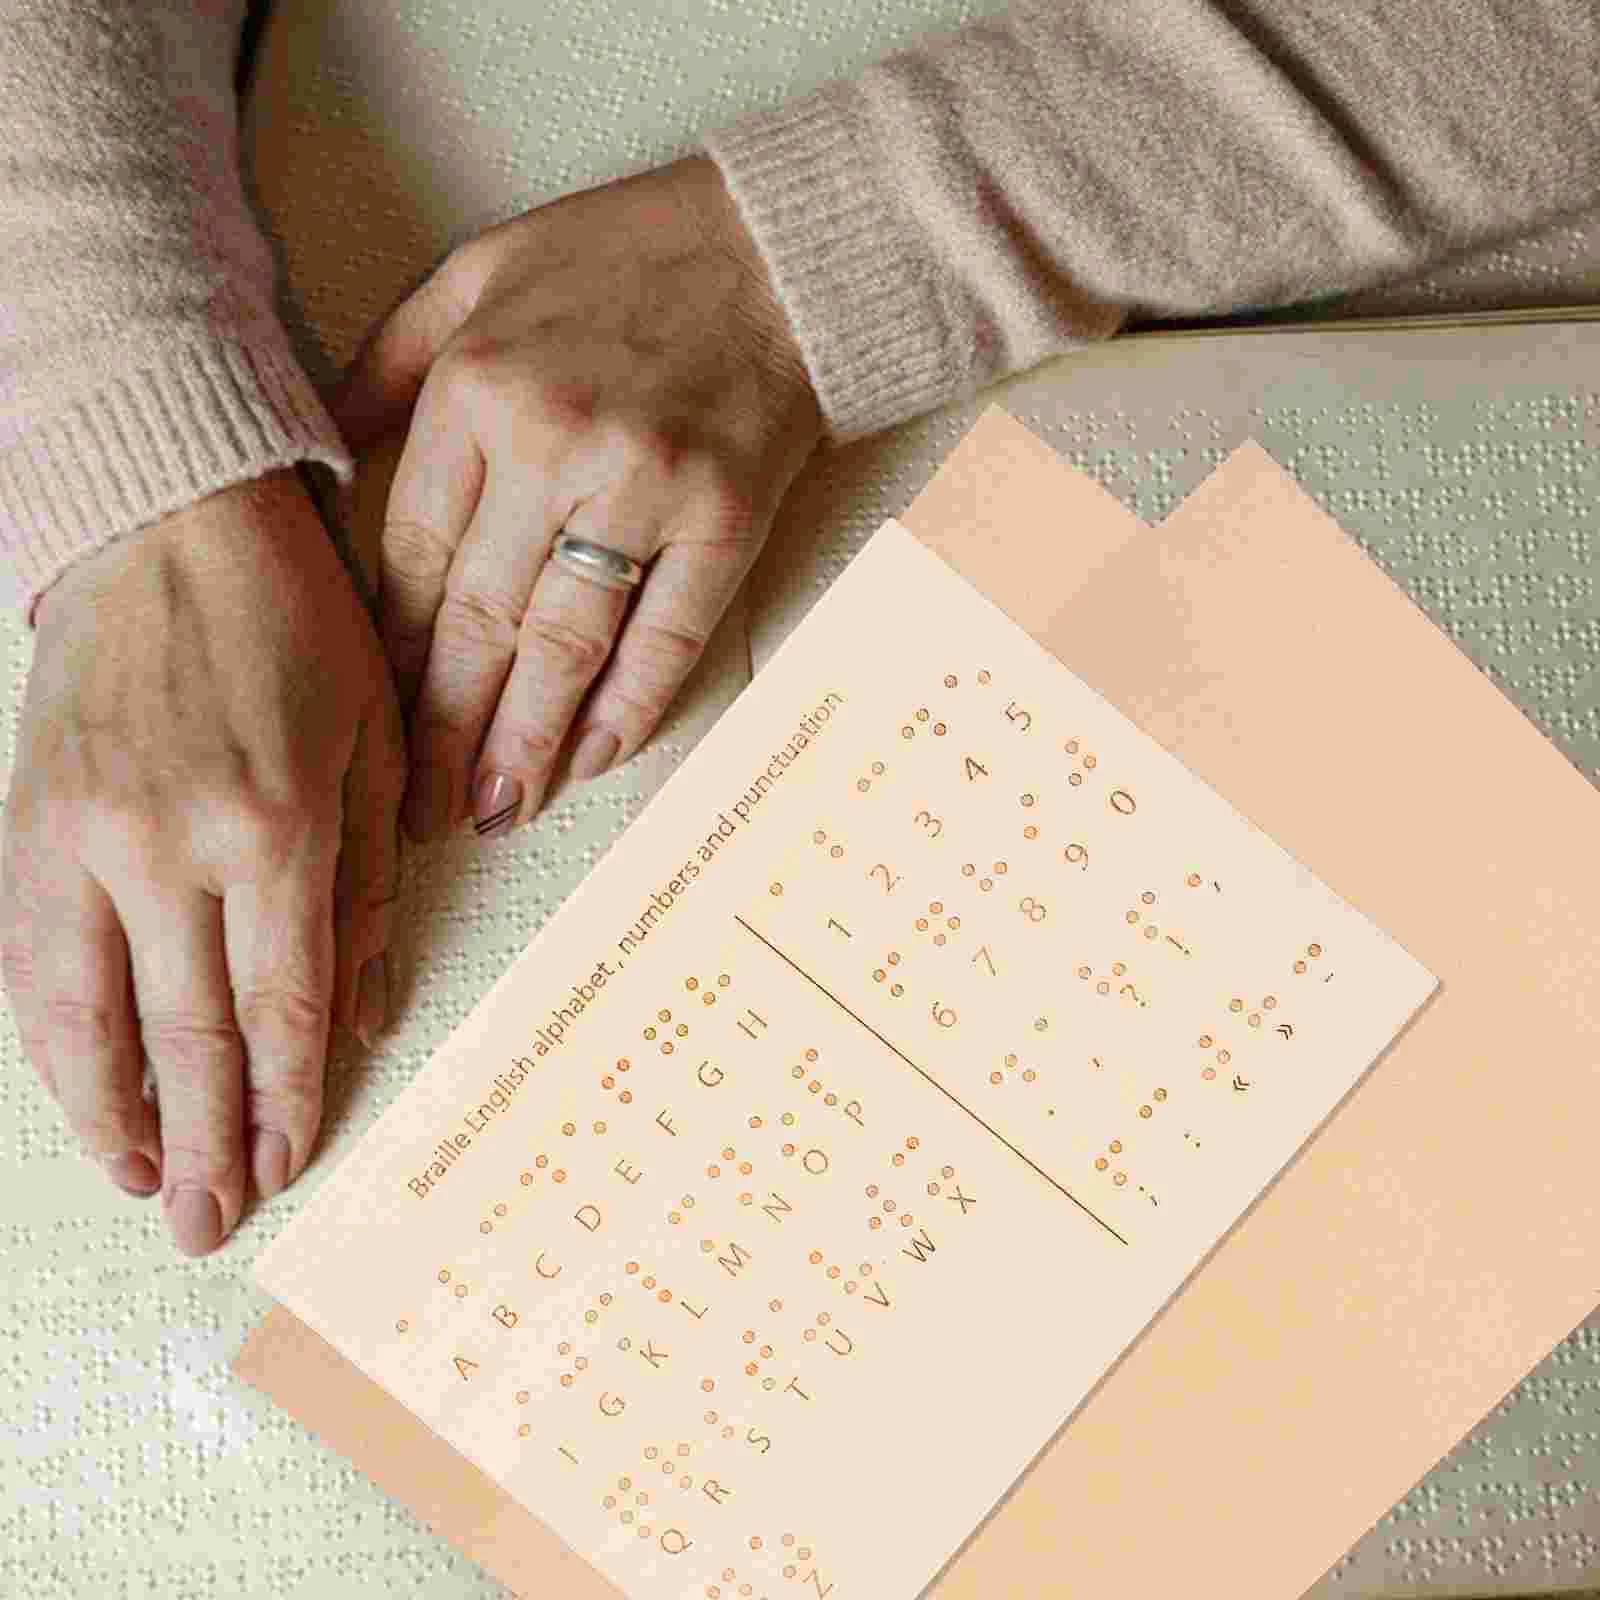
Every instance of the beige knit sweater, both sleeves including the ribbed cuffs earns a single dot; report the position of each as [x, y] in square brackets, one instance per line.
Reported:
[956, 212]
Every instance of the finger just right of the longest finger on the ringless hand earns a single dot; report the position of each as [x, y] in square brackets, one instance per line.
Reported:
[278, 930]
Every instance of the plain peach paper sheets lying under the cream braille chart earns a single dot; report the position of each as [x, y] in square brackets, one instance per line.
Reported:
[1359, 1247]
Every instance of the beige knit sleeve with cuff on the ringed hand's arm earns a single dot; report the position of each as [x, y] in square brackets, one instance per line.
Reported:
[1034, 182]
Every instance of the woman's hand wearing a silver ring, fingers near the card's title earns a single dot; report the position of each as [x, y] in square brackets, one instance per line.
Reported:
[614, 364]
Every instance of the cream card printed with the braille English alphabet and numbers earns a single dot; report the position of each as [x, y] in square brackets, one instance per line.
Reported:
[858, 1111]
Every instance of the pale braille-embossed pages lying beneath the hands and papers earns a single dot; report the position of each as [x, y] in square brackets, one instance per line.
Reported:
[132, 1463]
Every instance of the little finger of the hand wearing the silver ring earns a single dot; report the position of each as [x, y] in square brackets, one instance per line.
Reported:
[690, 585]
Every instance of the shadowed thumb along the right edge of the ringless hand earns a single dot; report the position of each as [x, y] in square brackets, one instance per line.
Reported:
[369, 879]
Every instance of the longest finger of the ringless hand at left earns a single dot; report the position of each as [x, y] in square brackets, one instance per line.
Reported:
[198, 1054]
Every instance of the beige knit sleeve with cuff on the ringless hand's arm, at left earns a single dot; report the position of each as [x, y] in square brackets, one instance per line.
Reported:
[142, 361]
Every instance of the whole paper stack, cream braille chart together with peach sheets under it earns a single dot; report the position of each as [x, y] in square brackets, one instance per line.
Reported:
[1020, 937]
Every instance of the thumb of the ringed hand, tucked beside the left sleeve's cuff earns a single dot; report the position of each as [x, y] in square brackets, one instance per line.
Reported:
[380, 388]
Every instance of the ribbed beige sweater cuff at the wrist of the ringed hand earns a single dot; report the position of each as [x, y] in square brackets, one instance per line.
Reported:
[850, 270]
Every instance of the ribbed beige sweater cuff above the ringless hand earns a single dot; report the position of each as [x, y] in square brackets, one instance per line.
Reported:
[204, 414]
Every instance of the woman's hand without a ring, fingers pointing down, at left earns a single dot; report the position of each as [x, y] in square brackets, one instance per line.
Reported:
[201, 846]
